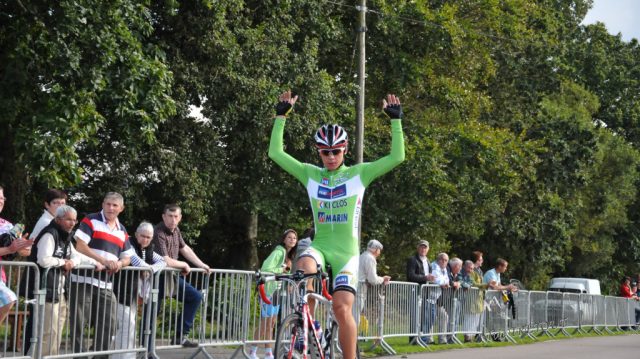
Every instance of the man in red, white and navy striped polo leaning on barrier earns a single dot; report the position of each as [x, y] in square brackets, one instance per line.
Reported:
[102, 237]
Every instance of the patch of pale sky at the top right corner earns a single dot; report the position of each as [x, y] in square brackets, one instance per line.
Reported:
[618, 16]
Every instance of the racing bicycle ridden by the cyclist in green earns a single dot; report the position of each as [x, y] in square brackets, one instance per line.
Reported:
[296, 337]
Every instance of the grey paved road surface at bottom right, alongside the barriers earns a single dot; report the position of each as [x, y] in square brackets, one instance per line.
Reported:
[607, 347]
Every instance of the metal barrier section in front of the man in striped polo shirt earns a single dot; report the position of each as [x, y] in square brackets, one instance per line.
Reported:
[96, 314]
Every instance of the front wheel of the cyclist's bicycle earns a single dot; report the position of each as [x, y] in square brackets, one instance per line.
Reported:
[289, 339]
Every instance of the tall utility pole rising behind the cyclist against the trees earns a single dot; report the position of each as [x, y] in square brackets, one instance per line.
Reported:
[362, 29]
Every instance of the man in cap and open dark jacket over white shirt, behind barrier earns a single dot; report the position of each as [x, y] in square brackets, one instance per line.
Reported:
[419, 271]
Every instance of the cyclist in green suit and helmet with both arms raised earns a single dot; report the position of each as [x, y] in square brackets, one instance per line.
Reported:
[336, 192]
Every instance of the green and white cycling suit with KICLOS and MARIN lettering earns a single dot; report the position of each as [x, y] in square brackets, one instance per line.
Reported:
[336, 200]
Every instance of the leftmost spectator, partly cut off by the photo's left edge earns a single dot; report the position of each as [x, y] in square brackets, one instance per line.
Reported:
[13, 242]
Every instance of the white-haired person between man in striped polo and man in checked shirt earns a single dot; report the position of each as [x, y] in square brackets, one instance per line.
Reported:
[129, 287]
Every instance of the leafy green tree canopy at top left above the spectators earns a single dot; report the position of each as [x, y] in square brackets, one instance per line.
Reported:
[72, 70]
